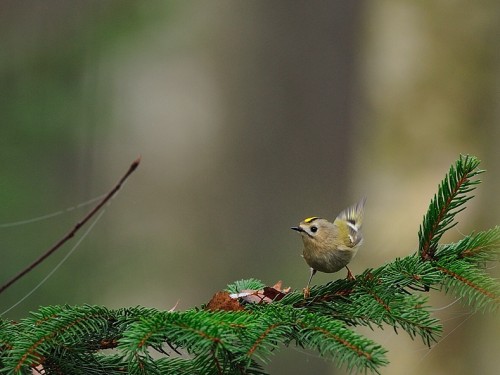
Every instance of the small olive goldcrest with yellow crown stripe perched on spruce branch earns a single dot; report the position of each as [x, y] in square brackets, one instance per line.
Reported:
[329, 247]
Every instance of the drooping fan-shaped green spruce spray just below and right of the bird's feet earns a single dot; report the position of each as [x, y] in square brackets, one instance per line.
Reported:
[376, 297]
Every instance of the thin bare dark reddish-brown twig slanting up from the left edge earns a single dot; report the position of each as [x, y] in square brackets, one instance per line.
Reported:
[77, 226]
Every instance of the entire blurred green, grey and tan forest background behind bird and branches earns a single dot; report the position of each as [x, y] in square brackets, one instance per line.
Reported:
[249, 116]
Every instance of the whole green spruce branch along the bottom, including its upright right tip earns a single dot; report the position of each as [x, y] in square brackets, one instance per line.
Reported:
[241, 327]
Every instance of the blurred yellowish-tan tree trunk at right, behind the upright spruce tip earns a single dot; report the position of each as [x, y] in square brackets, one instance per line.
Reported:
[432, 87]
